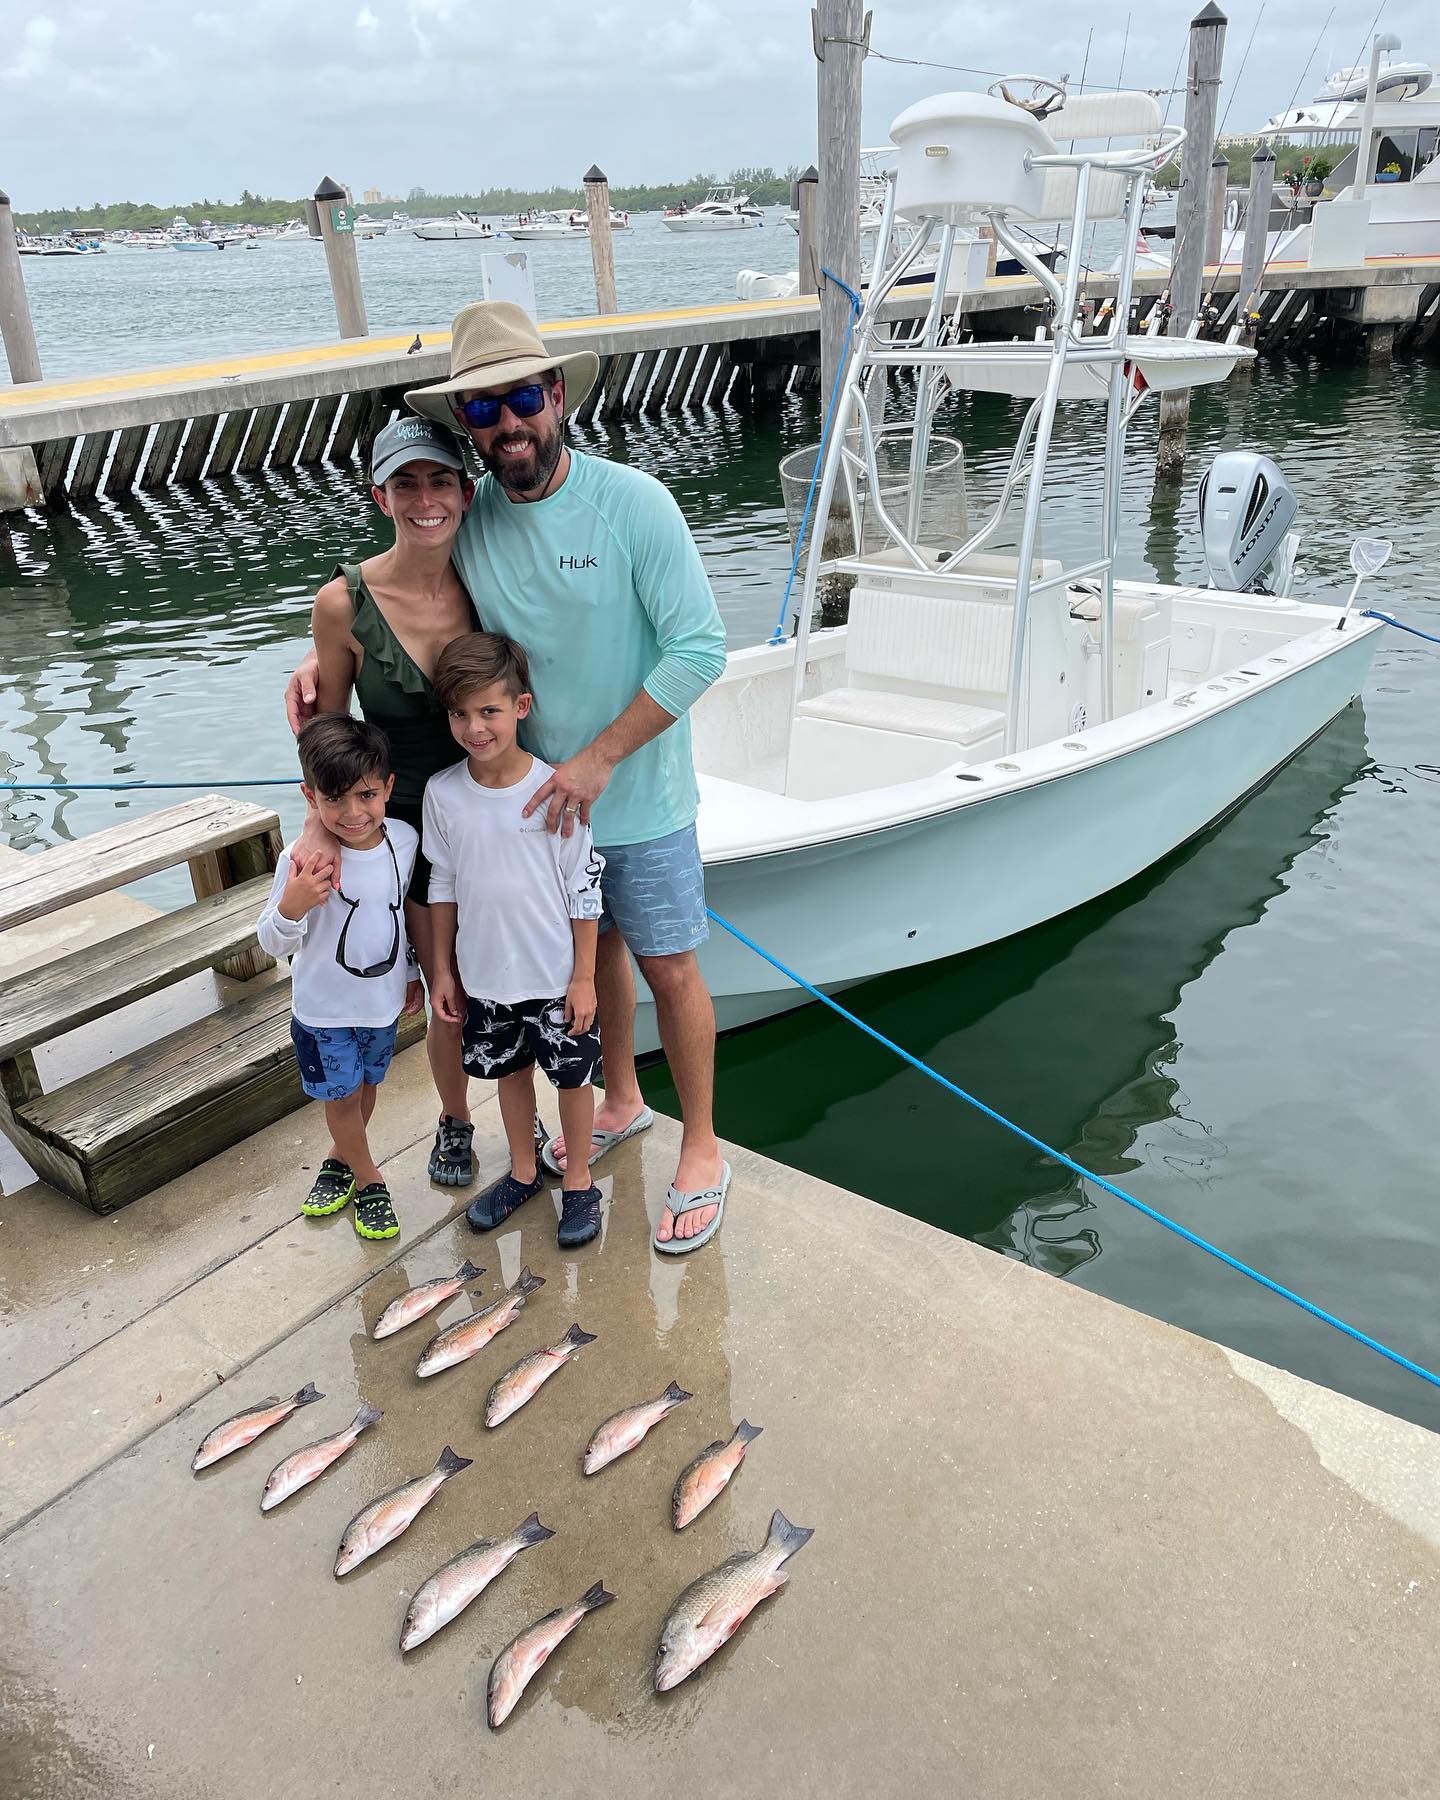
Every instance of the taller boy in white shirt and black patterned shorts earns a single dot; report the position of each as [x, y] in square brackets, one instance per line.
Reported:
[516, 912]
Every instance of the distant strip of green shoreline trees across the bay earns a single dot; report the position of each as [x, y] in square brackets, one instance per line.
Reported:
[764, 184]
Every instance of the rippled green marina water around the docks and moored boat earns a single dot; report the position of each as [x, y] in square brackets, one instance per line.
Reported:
[1245, 1038]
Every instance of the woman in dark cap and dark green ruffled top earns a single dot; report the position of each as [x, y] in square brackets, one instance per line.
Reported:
[379, 627]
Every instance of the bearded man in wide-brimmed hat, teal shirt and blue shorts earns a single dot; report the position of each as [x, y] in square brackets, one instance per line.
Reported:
[593, 570]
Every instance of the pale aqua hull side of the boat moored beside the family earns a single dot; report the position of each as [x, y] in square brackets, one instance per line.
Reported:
[984, 868]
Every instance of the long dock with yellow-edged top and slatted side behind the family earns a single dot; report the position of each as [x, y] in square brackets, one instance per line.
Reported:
[325, 404]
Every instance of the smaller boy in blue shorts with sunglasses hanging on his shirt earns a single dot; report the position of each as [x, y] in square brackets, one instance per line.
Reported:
[352, 969]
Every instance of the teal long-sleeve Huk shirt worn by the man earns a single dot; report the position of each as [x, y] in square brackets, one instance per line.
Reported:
[606, 591]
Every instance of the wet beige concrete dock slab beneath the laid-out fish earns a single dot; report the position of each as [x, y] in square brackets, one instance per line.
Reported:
[1059, 1549]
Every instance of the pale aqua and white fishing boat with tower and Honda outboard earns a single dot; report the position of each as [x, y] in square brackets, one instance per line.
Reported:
[996, 737]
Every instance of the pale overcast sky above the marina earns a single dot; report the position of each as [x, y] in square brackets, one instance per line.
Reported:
[157, 100]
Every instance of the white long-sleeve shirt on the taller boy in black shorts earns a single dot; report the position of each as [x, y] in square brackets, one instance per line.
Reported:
[516, 885]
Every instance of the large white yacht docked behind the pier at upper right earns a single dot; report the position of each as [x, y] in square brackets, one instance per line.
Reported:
[1401, 204]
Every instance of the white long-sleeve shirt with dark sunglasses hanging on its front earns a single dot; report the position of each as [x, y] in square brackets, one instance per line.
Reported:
[327, 985]
